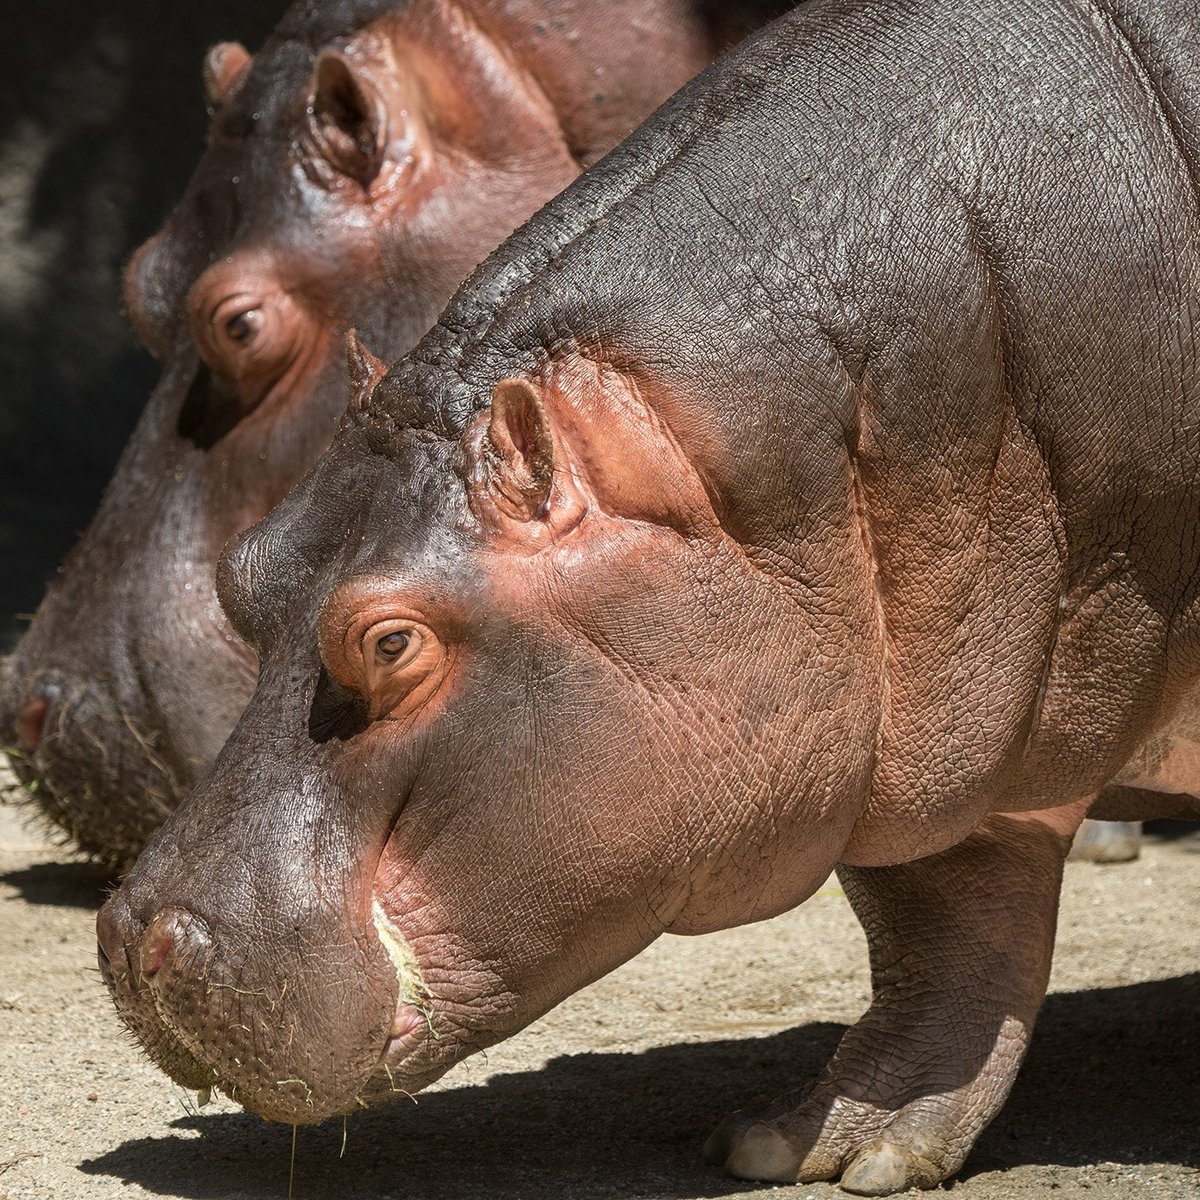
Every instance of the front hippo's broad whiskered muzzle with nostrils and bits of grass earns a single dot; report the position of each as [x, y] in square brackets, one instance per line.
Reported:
[261, 973]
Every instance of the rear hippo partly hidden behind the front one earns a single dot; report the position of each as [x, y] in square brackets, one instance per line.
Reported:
[359, 166]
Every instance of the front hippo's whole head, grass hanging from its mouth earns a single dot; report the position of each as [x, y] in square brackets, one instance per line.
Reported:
[524, 706]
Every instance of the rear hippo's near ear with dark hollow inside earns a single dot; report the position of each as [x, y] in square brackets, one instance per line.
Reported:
[347, 119]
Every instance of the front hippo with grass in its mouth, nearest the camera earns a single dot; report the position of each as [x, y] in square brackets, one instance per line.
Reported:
[813, 485]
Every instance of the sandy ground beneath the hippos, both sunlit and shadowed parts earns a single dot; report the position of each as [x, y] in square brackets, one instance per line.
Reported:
[613, 1094]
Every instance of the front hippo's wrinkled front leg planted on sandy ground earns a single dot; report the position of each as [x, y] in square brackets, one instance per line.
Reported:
[961, 949]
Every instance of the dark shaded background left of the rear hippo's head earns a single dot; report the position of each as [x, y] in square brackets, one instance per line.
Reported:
[101, 121]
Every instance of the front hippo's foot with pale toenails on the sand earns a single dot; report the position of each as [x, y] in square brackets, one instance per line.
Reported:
[871, 1150]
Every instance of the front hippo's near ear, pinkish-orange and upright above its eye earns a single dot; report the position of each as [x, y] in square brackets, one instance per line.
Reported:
[521, 451]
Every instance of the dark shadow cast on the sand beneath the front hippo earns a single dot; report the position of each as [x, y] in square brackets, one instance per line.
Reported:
[1109, 1079]
